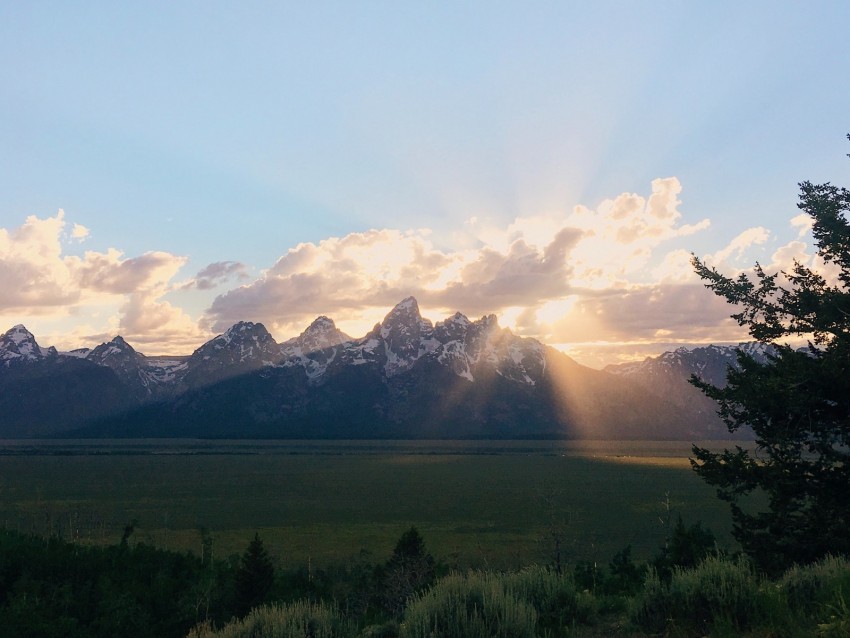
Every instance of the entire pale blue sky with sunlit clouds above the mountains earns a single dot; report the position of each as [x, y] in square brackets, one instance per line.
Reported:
[170, 168]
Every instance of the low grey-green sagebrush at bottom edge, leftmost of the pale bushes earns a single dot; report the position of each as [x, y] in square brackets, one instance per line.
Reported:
[294, 620]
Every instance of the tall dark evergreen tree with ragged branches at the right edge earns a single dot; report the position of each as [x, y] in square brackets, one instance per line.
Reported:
[797, 404]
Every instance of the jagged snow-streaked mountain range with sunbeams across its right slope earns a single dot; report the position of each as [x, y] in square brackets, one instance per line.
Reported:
[407, 378]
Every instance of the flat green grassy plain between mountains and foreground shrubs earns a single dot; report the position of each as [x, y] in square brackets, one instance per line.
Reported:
[495, 504]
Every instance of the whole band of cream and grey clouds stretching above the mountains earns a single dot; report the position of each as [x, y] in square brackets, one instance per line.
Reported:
[617, 273]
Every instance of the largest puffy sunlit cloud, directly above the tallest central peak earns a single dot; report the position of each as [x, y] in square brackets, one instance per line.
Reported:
[532, 261]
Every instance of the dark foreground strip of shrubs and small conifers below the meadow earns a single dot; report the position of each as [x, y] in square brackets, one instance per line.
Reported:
[53, 588]
